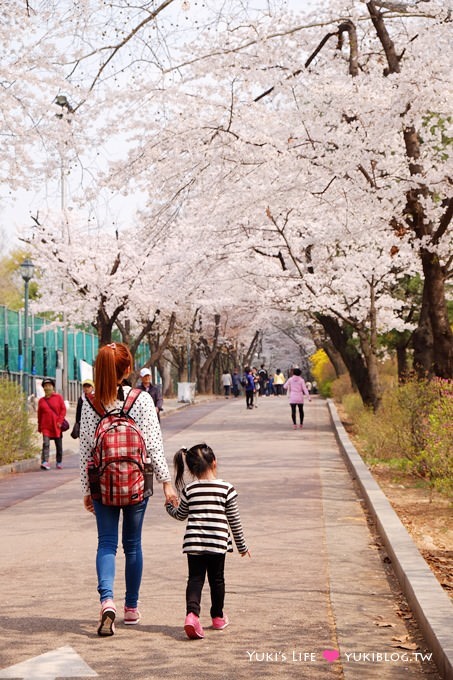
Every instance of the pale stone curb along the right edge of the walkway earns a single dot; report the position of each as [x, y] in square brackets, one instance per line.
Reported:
[430, 604]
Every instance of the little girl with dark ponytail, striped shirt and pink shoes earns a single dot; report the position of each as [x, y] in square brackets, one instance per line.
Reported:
[210, 506]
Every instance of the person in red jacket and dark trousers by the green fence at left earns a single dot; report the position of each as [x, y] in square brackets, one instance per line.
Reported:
[51, 415]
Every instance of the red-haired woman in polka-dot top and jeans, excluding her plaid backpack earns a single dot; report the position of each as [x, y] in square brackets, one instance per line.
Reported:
[113, 365]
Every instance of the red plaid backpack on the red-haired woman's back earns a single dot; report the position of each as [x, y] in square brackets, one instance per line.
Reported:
[116, 470]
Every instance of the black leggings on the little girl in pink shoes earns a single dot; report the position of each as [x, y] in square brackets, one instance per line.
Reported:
[214, 565]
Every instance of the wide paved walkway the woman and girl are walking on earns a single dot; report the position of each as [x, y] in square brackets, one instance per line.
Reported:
[316, 585]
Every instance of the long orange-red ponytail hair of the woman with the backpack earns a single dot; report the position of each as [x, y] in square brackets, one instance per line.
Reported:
[112, 362]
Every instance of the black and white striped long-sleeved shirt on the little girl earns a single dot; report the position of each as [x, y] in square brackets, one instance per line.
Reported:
[211, 509]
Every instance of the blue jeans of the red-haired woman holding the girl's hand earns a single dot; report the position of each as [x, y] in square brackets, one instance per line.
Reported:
[107, 519]
